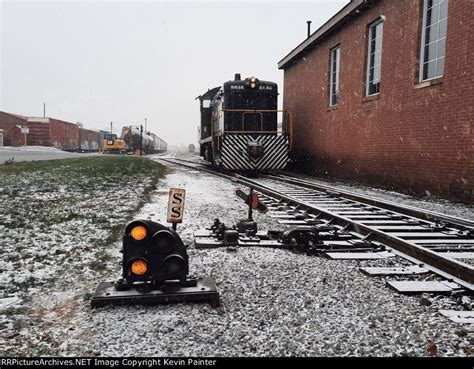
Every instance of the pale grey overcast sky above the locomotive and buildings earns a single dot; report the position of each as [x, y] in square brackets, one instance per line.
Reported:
[97, 62]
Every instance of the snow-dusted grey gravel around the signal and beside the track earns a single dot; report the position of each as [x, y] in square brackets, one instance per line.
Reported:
[273, 302]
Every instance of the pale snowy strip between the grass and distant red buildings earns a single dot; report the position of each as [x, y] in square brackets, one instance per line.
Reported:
[29, 153]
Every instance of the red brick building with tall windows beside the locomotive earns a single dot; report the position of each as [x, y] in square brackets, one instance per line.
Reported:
[383, 94]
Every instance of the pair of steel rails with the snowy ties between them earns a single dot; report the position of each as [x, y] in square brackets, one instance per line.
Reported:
[437, 241]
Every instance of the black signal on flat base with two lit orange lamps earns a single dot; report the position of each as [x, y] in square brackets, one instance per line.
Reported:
[155, 268]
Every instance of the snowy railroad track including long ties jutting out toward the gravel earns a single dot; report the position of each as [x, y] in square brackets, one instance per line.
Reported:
[360, 227]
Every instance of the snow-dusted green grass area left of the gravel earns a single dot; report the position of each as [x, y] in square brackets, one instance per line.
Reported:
[56, 223]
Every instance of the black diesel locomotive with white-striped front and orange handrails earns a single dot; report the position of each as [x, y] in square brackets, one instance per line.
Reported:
[239, 126]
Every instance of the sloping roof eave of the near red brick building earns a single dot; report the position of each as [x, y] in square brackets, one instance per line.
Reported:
[338, 18]
